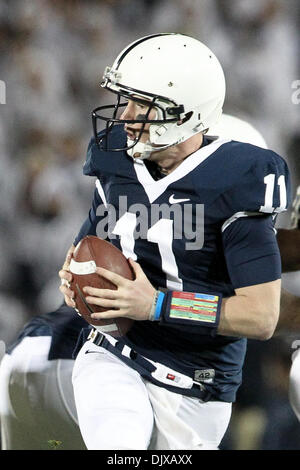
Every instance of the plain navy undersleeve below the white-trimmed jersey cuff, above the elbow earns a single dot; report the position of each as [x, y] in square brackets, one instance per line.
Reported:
[251, 251]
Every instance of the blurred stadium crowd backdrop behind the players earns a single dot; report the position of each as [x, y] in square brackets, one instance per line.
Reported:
[52, 56]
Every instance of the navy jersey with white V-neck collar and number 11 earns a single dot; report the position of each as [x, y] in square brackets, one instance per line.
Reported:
[206, 227]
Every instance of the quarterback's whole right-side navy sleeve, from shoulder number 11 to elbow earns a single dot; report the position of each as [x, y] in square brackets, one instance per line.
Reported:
[261, 190]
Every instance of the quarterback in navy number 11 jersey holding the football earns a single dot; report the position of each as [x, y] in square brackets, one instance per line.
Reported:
[207, 265]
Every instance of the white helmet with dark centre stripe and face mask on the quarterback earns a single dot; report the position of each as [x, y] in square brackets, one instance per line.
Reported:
[174, 74]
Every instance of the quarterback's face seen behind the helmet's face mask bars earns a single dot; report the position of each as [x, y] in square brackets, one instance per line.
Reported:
[135, 110]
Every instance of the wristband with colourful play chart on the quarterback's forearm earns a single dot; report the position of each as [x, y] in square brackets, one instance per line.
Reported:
[192, 308]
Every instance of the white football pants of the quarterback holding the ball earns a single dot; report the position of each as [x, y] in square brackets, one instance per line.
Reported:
[117, 409]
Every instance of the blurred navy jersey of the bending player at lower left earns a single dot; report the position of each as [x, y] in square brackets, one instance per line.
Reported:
[63, 325]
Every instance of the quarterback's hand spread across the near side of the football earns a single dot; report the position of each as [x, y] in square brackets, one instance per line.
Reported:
[132, 299]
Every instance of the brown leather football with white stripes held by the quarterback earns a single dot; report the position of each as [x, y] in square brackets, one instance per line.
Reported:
[88, 254]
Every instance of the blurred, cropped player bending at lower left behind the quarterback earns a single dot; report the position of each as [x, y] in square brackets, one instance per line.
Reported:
[37, 407]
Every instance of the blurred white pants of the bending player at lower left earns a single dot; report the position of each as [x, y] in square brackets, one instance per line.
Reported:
[36, 399]
